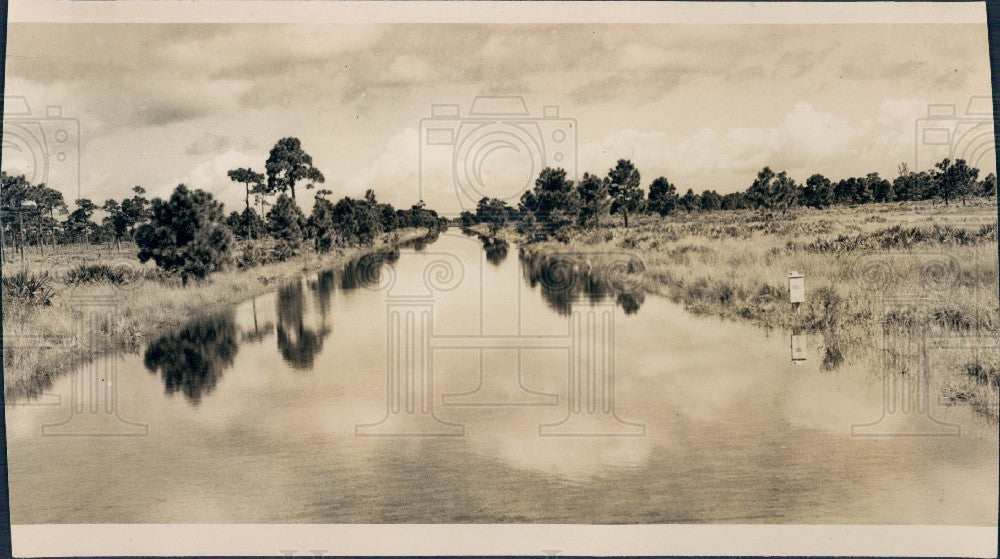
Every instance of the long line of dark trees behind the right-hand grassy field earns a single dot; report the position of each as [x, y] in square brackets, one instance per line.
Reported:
[556, 201]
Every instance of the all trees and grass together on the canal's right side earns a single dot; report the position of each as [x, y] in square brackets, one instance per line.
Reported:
[862, 243]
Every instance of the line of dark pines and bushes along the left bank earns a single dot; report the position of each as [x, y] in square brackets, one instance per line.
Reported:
[189, 234]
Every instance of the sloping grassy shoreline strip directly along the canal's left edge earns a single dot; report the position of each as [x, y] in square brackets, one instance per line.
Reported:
[47, 343]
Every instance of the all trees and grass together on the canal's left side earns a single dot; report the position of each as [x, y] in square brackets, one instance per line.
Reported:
[188, 237]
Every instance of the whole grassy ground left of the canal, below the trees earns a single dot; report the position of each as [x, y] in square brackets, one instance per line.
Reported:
[124, 303]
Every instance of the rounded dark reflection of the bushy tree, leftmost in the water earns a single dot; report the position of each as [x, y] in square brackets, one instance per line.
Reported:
[191, 361]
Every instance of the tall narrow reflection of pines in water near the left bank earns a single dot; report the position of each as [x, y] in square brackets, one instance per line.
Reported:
[297, 343]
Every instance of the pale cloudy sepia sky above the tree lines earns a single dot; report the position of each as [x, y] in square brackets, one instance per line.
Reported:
[706, 106]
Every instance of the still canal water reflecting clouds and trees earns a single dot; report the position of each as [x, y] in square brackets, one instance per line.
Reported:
[458, 382]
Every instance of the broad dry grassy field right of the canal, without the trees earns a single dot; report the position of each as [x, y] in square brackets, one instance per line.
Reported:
[902, 271]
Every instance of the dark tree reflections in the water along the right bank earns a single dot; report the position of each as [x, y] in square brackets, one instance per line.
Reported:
[564, 279]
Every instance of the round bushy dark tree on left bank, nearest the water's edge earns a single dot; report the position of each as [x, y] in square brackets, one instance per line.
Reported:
[186, 234]
